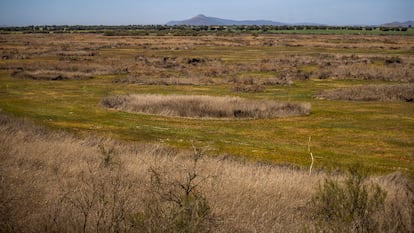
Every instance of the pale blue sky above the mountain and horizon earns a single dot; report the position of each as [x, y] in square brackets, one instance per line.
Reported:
[128, 12]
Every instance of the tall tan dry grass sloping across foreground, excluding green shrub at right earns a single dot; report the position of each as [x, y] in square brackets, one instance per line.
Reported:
[55, 182]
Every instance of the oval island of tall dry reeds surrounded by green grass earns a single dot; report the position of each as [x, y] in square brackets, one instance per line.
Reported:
[205, 106]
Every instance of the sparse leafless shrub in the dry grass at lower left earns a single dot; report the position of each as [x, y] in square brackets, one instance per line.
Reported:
[97, 199]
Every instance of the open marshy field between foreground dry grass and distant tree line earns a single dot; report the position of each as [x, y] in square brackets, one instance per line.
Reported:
[60, 80]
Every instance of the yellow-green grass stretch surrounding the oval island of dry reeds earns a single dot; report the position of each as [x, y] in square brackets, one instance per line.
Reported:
[342, 132]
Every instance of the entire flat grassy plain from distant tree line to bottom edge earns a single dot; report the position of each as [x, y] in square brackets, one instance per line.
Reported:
[207, 133]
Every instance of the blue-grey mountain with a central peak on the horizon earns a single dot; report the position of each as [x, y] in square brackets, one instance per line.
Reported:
[202, 20]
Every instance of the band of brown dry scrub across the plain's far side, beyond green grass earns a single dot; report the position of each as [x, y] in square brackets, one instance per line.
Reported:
[169, 60]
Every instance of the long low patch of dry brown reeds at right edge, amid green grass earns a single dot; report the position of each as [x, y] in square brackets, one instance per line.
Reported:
[396, 92]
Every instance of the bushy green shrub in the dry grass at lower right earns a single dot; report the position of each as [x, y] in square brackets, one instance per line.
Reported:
[349, 206]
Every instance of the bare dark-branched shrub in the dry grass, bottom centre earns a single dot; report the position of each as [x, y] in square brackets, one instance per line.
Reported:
[175, 202]
